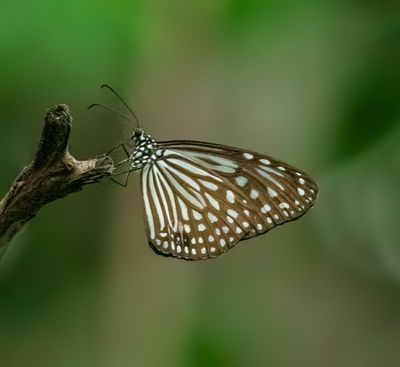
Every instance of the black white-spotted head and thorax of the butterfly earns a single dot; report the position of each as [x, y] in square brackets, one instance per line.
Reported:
[145, 150]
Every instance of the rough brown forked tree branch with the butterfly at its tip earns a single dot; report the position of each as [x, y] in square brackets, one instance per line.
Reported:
[53, 174]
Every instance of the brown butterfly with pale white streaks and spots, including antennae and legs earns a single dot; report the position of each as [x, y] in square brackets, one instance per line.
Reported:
[201, 199]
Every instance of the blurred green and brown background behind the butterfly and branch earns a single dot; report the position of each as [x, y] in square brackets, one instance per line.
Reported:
[314, 83]
